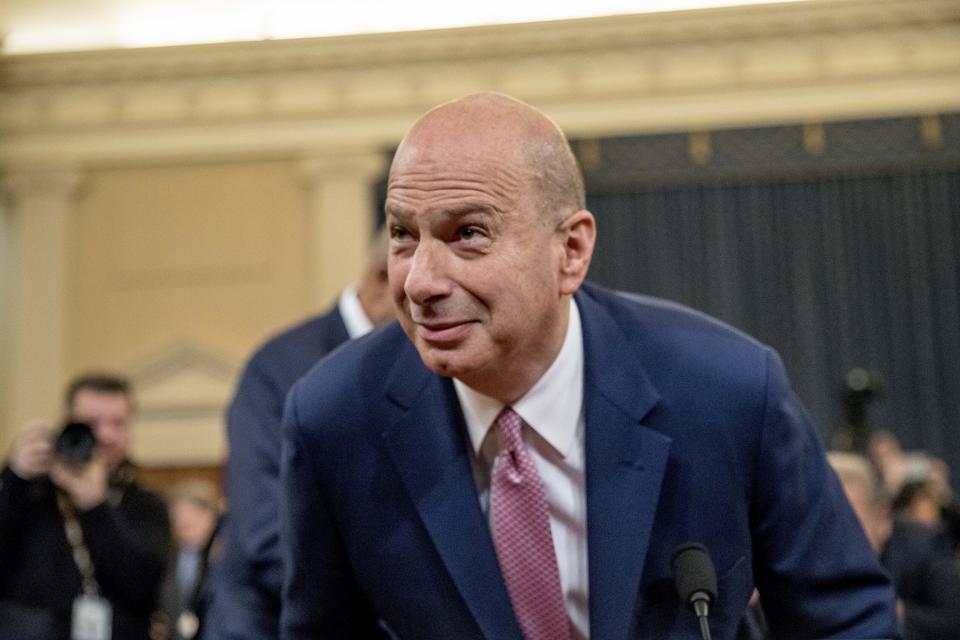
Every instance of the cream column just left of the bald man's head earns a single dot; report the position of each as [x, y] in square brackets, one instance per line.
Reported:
[340, 202]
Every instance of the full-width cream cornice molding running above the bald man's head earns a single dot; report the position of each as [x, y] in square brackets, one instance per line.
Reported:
[688, 70]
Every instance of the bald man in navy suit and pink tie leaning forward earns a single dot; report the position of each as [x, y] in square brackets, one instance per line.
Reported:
[647, 425]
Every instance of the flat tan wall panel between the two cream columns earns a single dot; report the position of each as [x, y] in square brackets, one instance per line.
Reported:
[212, 255]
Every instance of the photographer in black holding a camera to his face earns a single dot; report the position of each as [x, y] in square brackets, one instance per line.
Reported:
[82, 545]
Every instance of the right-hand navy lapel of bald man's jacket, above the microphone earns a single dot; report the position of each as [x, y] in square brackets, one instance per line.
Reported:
[625, 462]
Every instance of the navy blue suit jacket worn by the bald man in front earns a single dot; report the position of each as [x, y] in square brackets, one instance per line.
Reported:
[692, 434]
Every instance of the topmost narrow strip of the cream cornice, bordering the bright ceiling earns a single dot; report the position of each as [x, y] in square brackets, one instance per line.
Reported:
[487, 43]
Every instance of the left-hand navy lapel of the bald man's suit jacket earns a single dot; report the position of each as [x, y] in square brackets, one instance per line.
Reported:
[429, 448]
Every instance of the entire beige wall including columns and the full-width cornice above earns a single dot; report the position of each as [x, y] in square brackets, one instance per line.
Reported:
[170, 207]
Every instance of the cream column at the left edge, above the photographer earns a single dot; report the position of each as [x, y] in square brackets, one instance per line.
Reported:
[39, 203]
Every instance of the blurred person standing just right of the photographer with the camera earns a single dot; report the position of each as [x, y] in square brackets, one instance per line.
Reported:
[195, 514]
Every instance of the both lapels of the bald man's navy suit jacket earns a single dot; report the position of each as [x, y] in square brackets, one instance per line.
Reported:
[625, 462]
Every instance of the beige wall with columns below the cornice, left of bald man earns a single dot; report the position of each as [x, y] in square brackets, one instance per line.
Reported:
[171, 274]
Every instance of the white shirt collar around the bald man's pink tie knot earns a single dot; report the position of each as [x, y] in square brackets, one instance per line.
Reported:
[553, 405]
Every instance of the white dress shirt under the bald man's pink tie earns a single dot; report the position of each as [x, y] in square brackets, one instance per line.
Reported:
[553, 409]
